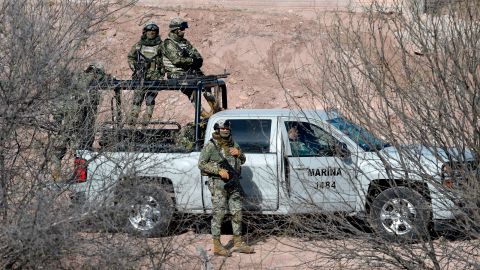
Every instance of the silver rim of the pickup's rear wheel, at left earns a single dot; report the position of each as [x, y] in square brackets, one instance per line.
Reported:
[145, 214]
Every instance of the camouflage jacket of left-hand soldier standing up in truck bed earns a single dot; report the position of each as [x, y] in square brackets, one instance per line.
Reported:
[148, 55]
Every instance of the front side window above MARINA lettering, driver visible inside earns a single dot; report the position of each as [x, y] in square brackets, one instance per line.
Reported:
[308, 140]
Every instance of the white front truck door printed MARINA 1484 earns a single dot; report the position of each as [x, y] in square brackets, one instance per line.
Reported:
[320, 170]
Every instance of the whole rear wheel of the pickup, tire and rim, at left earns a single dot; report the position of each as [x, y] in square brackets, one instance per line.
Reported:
[144, 210]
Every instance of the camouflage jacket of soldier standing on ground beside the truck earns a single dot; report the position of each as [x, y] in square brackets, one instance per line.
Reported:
[211, 156]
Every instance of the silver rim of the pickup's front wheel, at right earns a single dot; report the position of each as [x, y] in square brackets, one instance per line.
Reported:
[397, 216]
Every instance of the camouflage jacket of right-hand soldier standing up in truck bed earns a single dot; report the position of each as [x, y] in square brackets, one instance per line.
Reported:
[179, 56]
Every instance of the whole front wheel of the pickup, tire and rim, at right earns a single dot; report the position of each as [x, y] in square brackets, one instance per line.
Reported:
[400, 214]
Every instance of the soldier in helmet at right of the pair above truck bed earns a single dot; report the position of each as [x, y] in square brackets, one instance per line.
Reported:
[180, 59]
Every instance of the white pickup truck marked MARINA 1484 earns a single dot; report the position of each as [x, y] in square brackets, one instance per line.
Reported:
[346, 170]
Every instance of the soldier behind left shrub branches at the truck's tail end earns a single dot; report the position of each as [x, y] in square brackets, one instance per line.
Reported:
[76, 115]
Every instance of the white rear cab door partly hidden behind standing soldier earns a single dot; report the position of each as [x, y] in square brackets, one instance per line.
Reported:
[260, 171]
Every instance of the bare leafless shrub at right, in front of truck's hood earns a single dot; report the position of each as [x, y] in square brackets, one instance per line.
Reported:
[412, 79]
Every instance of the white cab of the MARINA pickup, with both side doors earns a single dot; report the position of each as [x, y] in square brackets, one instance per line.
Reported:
[278, 181]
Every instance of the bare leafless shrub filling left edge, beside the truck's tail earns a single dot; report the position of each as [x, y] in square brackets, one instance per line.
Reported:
[44, 45]
